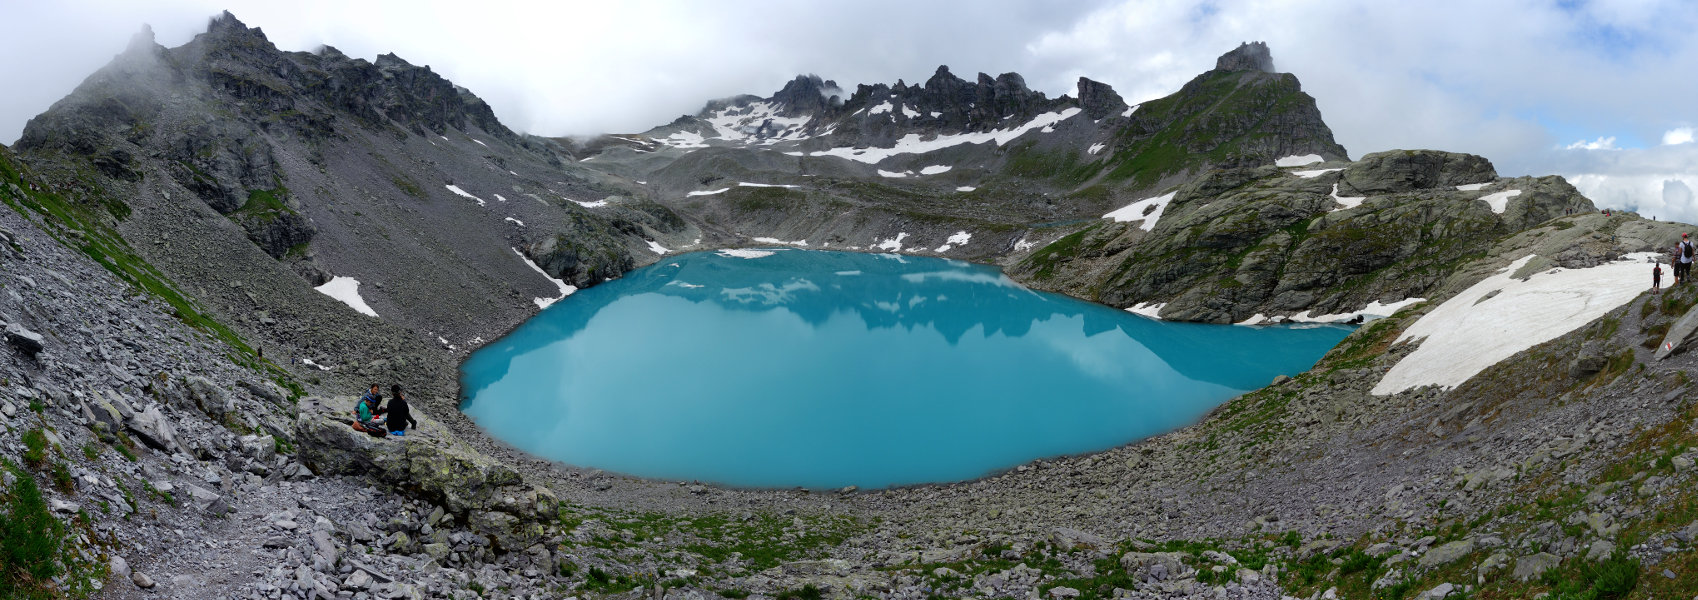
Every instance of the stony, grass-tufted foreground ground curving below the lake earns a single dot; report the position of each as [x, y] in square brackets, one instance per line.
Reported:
[189, 468]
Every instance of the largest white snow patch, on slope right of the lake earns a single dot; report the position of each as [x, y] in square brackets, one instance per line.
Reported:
[1473, 332]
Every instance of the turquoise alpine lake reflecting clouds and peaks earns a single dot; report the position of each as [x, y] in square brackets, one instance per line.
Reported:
[824, 370]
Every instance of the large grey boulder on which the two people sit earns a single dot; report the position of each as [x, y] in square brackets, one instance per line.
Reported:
[429, 461]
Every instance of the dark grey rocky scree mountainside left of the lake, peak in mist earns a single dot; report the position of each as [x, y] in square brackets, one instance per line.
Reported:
[249, 176]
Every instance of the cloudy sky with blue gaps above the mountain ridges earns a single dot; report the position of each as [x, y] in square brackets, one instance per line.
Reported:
[1600, 93]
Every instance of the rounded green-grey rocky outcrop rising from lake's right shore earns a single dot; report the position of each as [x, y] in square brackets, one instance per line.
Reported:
[1244, 242]
